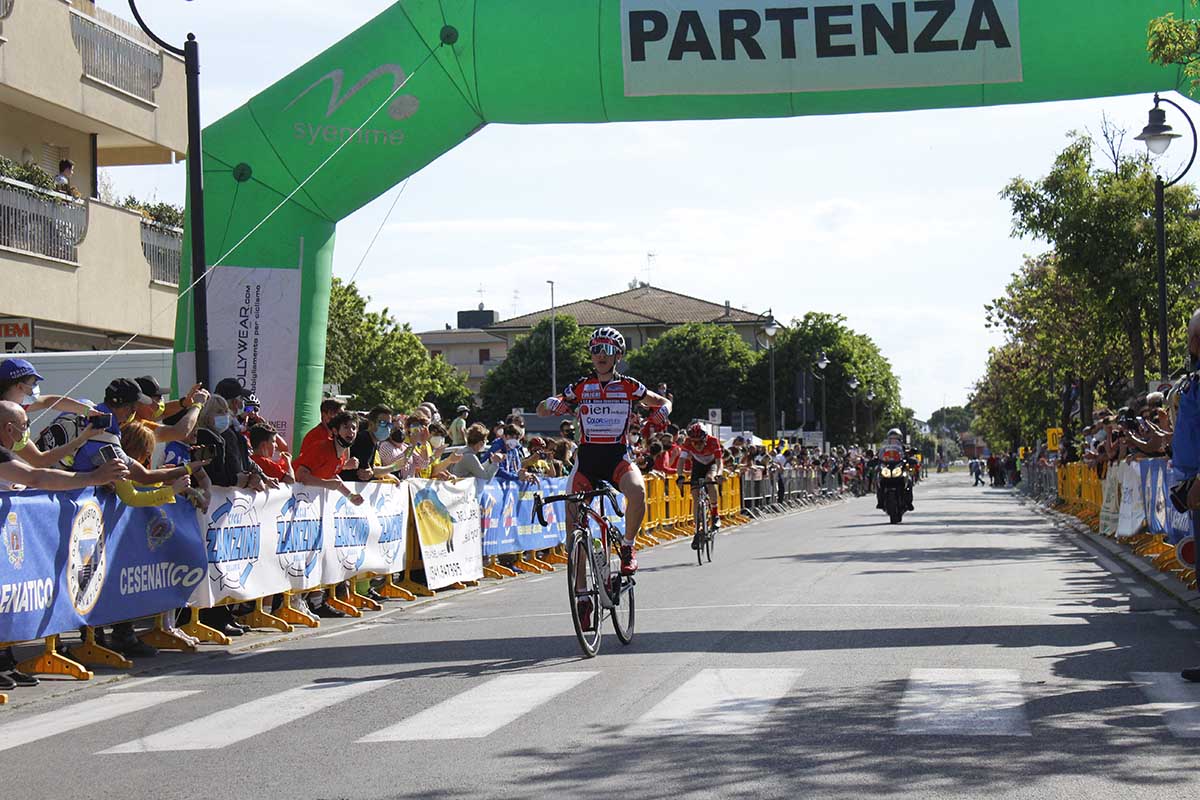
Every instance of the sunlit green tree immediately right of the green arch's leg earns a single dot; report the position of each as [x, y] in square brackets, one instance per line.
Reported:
[377, 360]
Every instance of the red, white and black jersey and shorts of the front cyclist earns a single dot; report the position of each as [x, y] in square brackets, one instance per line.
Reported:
[605, 412]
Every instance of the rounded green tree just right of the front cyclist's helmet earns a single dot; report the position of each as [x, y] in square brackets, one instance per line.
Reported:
[704, 365]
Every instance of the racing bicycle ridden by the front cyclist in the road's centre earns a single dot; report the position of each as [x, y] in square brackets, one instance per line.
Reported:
[593, 568]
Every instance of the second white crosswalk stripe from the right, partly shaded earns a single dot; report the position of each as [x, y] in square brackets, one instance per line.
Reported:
[963, 703]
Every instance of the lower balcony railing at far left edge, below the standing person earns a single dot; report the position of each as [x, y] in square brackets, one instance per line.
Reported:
[43, 222]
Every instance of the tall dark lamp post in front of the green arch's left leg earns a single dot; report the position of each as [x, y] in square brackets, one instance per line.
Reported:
[191, 56]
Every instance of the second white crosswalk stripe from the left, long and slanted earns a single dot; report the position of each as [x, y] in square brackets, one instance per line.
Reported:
[242, 723]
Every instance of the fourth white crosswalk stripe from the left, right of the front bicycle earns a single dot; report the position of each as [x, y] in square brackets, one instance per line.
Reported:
[718, 702]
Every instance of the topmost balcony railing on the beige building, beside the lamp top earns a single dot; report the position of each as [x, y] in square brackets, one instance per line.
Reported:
[117, 55]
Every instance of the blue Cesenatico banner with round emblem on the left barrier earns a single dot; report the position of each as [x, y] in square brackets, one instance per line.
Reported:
[85, 558]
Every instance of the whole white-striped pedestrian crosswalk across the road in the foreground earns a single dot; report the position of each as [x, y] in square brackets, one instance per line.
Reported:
[727, 702]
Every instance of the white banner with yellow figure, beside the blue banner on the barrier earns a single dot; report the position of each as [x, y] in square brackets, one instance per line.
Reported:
[448, 527]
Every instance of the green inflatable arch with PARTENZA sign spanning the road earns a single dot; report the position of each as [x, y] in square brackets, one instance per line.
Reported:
[469, 63]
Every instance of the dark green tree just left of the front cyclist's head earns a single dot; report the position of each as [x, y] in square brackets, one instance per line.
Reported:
[524, 380]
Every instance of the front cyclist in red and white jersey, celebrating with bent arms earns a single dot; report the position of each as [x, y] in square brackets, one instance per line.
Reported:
[605, 405]
